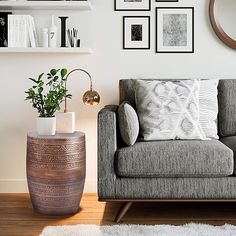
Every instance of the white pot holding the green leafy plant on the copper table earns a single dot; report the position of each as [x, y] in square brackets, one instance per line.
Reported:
[46, 125]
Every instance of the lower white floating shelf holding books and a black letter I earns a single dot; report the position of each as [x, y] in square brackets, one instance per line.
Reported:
[47, 50]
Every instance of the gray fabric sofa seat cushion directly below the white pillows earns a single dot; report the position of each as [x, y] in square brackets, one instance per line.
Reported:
[175, 159]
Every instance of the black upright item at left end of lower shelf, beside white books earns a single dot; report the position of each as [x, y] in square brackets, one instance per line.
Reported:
[4, 28]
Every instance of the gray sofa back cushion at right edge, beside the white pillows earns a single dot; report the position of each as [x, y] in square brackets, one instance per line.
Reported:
[227, 107]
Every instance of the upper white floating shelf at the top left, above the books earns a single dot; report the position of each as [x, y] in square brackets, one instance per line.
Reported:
[46, 5]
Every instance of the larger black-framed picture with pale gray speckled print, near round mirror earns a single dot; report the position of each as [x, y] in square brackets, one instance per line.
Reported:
[175, 29]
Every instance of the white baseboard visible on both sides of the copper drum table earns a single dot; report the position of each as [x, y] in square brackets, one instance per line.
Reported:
[20, 186]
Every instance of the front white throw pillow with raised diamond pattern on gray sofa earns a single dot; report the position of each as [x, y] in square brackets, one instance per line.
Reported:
[168, 110]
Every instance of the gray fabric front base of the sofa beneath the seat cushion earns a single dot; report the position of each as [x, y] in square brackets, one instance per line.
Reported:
[177, 188]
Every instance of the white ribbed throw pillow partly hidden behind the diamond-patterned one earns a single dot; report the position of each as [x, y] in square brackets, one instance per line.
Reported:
[208, 107]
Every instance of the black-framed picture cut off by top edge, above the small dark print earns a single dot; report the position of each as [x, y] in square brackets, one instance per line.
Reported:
[132, 5]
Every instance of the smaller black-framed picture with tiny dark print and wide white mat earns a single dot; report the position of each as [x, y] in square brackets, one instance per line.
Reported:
[136, 32]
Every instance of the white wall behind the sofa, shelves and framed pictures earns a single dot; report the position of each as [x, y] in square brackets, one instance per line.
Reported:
[102, 30]
